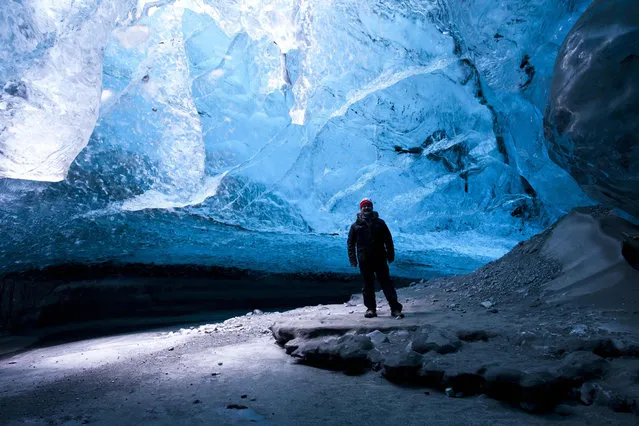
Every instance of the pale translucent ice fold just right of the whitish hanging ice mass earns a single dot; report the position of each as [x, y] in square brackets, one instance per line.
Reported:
[150, 112]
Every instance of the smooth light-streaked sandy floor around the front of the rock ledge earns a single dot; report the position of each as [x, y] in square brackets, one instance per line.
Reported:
[233, 372]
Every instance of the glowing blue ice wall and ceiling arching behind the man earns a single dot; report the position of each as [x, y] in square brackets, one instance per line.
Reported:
[244, 133]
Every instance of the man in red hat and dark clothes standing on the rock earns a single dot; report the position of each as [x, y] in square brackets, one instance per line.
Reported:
[374, 243]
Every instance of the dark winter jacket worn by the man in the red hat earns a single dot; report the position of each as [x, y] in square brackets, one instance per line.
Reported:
[372, 239]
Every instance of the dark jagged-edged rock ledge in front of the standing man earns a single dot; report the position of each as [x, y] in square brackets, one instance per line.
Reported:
[467, 362]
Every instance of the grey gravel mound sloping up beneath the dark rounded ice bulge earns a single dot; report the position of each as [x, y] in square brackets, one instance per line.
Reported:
[590, 239]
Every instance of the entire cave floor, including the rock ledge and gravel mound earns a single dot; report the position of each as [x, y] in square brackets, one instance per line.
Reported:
[552, 327]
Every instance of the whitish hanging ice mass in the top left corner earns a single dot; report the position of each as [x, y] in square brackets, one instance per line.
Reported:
[50, 76]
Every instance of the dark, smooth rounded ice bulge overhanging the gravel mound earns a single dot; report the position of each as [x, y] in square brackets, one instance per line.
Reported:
[591, 122]
